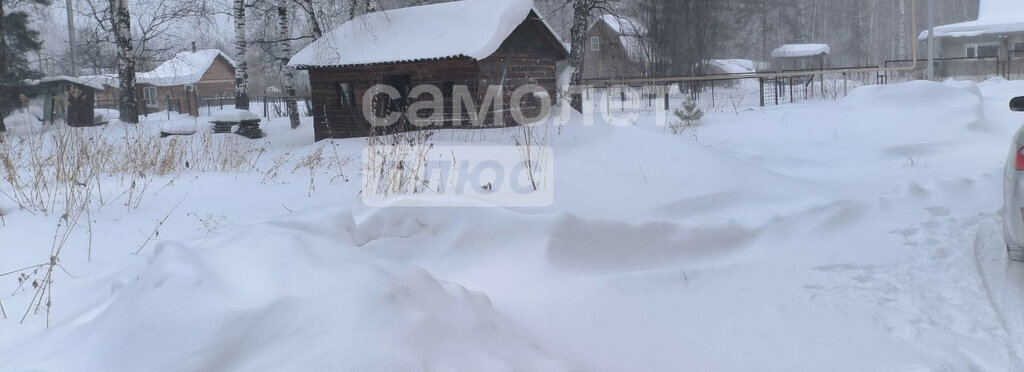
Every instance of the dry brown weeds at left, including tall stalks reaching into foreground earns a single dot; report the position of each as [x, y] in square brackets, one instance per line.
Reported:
[70, 173]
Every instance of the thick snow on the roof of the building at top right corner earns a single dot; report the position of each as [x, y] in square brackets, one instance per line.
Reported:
[995, 17]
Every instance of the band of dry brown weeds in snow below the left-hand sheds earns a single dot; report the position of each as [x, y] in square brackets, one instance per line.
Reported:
[52, 173]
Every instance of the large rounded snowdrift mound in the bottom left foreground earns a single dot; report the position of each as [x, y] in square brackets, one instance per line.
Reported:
[291, 295]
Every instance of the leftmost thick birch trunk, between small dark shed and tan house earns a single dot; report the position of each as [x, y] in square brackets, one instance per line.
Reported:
[129, 105]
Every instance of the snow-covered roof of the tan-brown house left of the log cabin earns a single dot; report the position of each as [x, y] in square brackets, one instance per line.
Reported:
[185, 68]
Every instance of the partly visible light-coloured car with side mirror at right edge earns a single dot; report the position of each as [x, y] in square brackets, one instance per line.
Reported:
[1013, 192]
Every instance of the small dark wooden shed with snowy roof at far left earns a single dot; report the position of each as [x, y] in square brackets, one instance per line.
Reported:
[68, 99]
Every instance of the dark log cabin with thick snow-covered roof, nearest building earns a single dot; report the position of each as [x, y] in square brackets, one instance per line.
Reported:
[471, 45]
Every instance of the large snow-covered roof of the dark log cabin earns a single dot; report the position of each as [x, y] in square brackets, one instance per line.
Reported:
[473, 29]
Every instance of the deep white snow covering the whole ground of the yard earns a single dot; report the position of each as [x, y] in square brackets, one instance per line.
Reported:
[861, 235]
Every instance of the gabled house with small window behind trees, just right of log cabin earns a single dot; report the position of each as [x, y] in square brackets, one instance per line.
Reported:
[615, 49]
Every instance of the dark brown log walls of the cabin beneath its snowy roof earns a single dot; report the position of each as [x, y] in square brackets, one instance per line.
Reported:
[528, 57]
